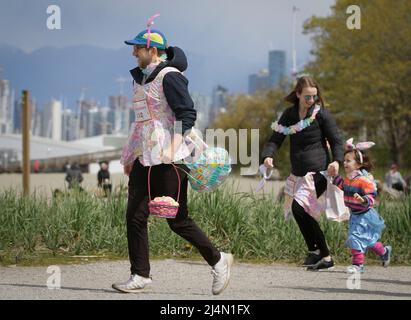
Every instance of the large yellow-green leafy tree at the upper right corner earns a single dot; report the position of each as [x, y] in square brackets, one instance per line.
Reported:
[366, 73]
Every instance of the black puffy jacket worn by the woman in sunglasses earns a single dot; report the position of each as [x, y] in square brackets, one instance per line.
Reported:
[308, 148]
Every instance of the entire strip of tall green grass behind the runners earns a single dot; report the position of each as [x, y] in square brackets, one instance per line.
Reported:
[252, 227]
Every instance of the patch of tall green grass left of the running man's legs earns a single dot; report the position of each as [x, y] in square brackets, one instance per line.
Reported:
[73, 222]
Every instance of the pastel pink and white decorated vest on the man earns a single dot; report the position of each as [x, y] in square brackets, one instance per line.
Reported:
[153, 129]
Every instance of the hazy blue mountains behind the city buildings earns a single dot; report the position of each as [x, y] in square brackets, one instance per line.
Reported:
[61, 73]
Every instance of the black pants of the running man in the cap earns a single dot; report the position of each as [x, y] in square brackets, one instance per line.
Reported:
[163, 182]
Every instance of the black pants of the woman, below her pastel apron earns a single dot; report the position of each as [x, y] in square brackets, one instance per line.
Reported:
[312, 233]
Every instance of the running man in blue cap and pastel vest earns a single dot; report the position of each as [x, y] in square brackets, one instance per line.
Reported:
[161, 99]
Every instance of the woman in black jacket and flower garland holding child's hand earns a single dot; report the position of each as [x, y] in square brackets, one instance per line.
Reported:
[310, 126]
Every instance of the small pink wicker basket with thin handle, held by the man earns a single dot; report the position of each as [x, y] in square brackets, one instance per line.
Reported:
[159, 207]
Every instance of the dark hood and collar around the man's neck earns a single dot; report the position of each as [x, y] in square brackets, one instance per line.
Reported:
[175, 58]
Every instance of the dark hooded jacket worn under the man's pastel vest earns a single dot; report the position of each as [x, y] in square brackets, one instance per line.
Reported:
[175, 86]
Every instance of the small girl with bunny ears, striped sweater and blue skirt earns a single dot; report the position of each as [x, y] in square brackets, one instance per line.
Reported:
[359, 196]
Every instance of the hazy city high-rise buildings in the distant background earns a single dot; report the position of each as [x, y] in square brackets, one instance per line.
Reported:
[88, 117]
